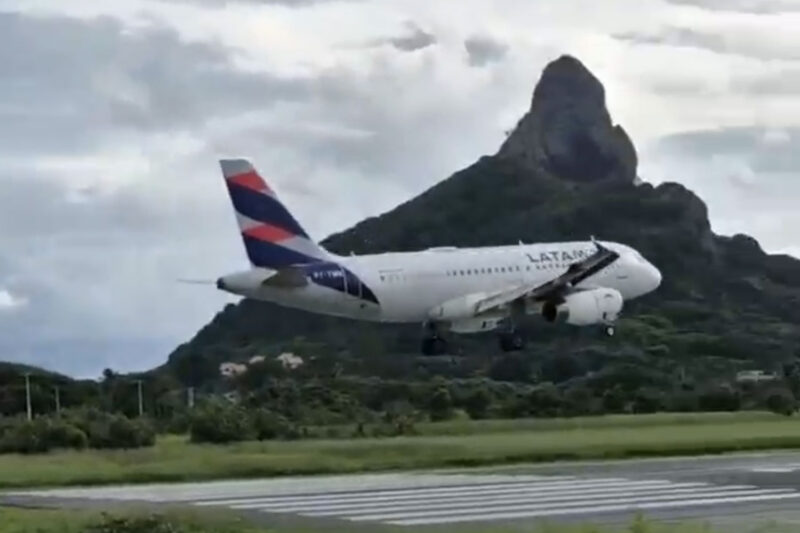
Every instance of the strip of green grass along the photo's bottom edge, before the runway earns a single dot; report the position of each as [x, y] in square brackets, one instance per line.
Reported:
[46, 521]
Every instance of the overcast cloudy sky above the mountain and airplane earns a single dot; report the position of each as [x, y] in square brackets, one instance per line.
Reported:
[113, 114]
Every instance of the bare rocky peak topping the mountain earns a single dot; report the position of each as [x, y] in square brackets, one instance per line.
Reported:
[568, 131]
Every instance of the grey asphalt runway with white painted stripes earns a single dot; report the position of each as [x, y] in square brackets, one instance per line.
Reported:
[739, 491]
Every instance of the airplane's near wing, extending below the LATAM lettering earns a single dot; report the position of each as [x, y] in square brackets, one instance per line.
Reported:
[554, 289]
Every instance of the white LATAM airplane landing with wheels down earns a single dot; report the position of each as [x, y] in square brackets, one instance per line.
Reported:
[445, 289]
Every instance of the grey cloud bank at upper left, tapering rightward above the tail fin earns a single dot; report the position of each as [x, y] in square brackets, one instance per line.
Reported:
[113, 82]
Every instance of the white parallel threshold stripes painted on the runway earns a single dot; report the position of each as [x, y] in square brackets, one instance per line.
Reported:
[515, 497]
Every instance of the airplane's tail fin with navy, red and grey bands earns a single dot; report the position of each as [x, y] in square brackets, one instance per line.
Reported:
[272, 237]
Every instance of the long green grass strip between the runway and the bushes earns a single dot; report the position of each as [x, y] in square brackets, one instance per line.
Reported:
[440, 445]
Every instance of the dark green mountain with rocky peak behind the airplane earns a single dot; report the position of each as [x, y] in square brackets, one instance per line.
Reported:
[566, 172]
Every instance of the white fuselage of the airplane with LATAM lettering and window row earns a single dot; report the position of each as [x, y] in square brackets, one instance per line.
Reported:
[408, 285]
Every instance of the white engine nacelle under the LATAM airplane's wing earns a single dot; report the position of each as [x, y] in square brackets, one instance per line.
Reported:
[586, 308]
